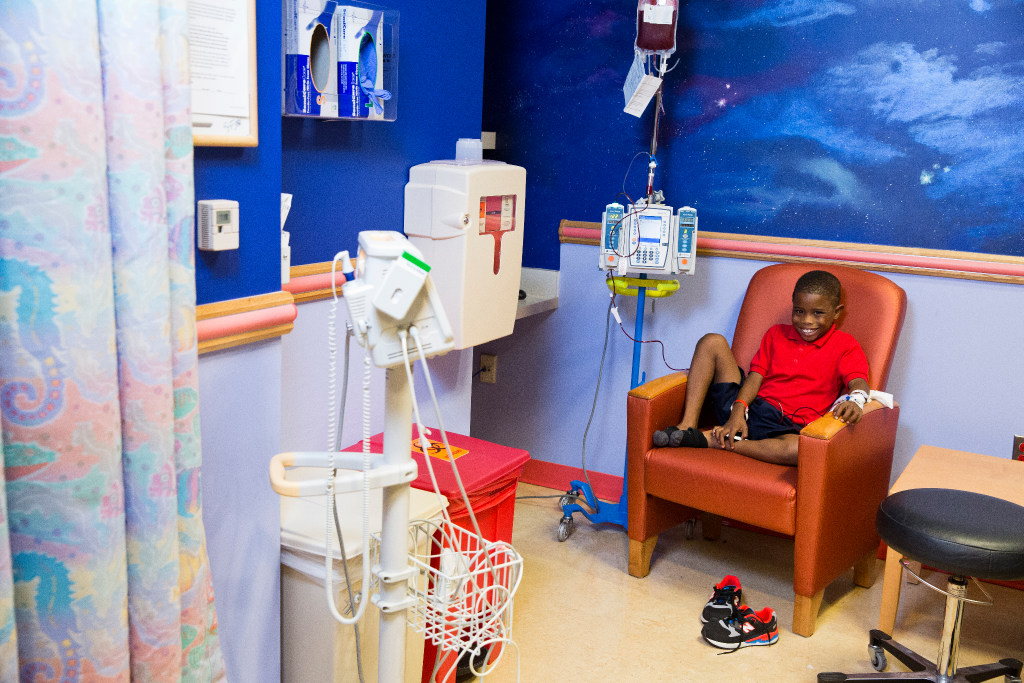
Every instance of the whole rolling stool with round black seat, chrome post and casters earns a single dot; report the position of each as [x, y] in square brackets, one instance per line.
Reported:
[968, 535]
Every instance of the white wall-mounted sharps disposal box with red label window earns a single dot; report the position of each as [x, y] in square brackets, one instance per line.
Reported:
[466, 217]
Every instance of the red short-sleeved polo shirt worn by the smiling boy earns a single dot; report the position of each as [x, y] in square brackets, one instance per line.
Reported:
[804, 378]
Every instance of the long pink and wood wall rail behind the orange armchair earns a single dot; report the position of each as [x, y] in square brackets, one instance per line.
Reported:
[966, 266]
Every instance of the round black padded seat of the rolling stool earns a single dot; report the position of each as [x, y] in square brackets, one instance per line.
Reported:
[959, 532]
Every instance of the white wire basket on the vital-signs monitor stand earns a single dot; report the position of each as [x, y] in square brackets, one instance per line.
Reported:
[463, 587]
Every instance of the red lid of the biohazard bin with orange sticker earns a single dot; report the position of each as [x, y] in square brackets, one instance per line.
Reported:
[481, 463]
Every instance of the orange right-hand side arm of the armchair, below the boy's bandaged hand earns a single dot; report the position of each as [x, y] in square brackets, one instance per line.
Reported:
[843, 476]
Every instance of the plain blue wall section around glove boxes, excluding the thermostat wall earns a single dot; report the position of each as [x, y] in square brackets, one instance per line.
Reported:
[351, 177]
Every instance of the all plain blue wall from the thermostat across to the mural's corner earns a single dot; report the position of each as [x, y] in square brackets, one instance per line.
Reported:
[346, 177]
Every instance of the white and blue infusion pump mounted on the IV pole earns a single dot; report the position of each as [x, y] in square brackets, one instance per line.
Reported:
[649, 238]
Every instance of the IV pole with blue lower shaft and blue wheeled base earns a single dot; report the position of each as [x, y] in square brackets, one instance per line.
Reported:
[618, 514]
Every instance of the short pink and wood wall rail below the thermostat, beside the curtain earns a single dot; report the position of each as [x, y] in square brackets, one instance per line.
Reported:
[236, 322]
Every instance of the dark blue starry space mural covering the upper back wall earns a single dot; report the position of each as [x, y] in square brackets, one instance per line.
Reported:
[893, 122]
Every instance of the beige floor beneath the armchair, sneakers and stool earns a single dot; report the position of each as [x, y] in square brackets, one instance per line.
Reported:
[580, 617]
